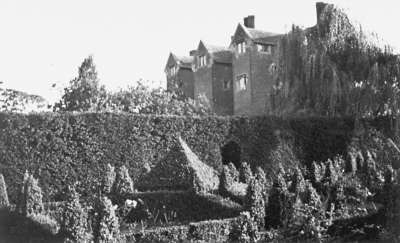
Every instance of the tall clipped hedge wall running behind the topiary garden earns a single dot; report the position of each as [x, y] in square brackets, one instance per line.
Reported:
[63, 148]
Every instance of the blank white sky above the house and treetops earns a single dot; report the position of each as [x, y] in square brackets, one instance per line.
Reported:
[44, 41]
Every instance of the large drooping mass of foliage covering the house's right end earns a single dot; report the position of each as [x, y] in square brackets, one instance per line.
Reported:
[335, 69]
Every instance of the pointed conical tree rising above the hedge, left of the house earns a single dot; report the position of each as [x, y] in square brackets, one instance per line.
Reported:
[84, 92]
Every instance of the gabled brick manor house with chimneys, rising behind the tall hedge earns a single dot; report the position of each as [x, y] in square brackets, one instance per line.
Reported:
[236, 79]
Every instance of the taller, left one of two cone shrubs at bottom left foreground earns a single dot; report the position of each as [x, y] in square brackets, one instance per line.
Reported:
[73, 224]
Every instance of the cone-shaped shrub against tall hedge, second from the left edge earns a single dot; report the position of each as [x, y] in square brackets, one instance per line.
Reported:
[31, 198]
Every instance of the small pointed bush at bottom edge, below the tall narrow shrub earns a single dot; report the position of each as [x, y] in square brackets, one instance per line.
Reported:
[245, 229]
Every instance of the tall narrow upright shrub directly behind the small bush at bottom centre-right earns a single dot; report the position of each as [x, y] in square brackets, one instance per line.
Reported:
[255, 202]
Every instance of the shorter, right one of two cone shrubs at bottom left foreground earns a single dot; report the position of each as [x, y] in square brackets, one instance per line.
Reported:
[106, 228]
